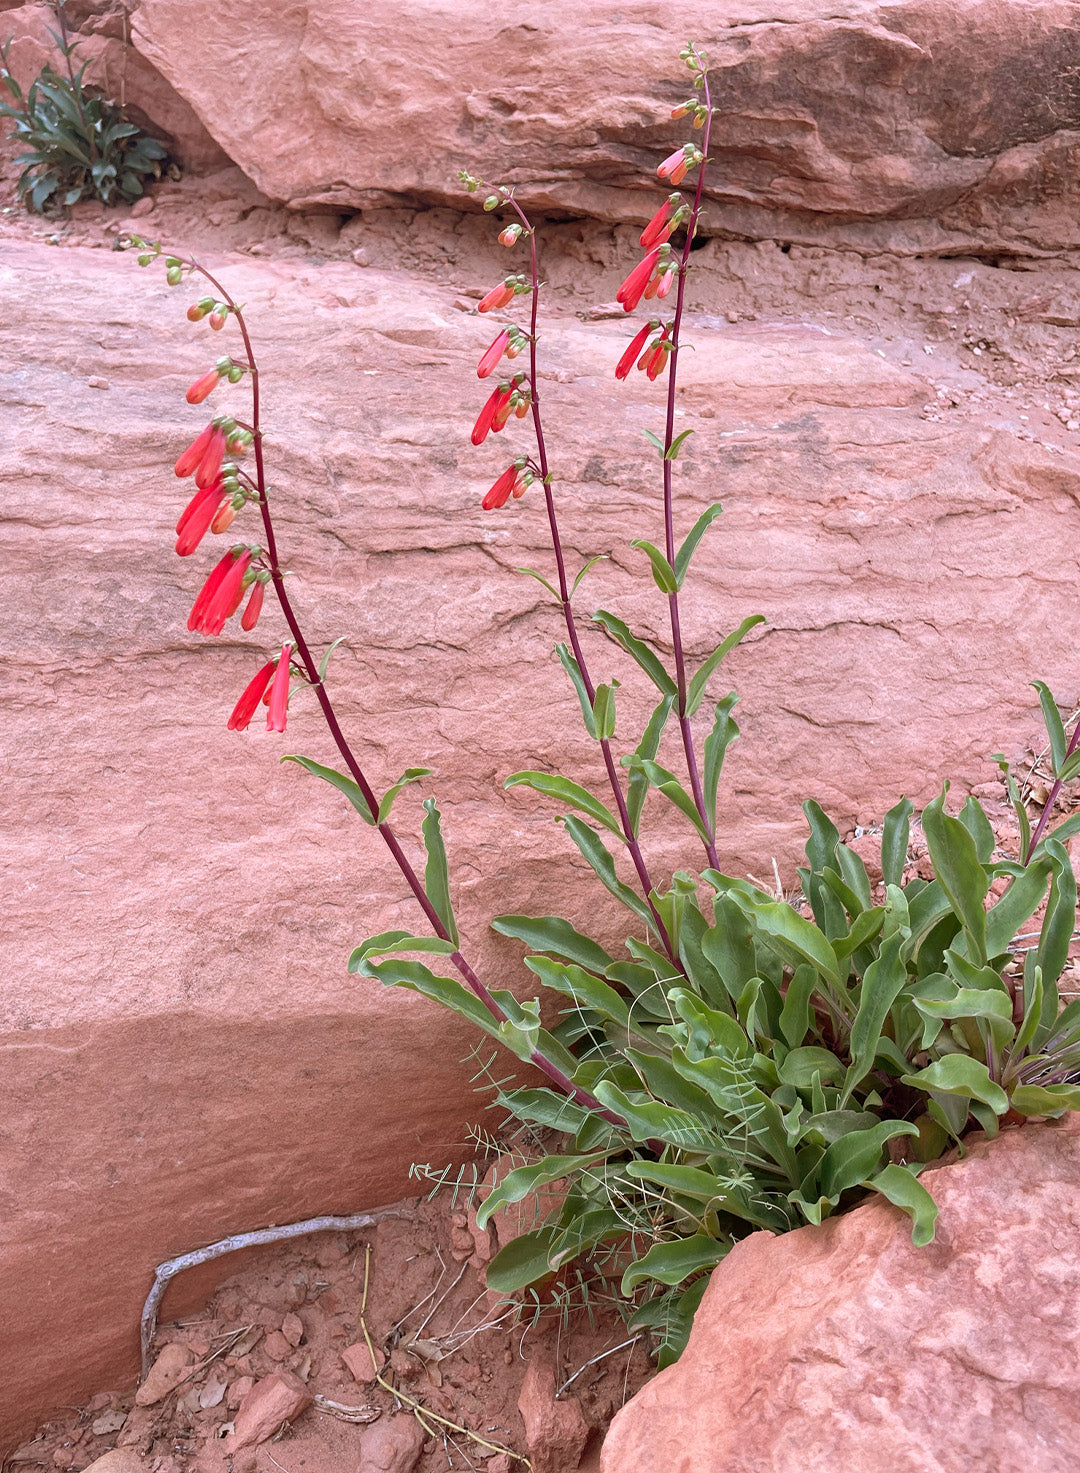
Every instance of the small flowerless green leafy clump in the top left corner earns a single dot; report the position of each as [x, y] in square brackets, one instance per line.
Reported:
[77, 145]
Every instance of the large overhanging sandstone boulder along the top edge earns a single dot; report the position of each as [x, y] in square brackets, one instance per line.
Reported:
[916, 126]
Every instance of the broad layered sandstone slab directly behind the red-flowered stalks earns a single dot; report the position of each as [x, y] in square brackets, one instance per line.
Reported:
[183, 1052]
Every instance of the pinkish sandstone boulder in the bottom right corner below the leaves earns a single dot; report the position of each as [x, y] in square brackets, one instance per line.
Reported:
[845, 1347]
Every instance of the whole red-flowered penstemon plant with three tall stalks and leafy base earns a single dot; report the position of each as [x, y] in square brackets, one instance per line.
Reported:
[743, 1066]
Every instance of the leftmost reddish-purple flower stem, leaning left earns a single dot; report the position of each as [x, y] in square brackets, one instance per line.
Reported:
[329, 715]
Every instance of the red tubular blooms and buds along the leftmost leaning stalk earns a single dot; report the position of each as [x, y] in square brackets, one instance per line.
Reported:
[222, 490]
